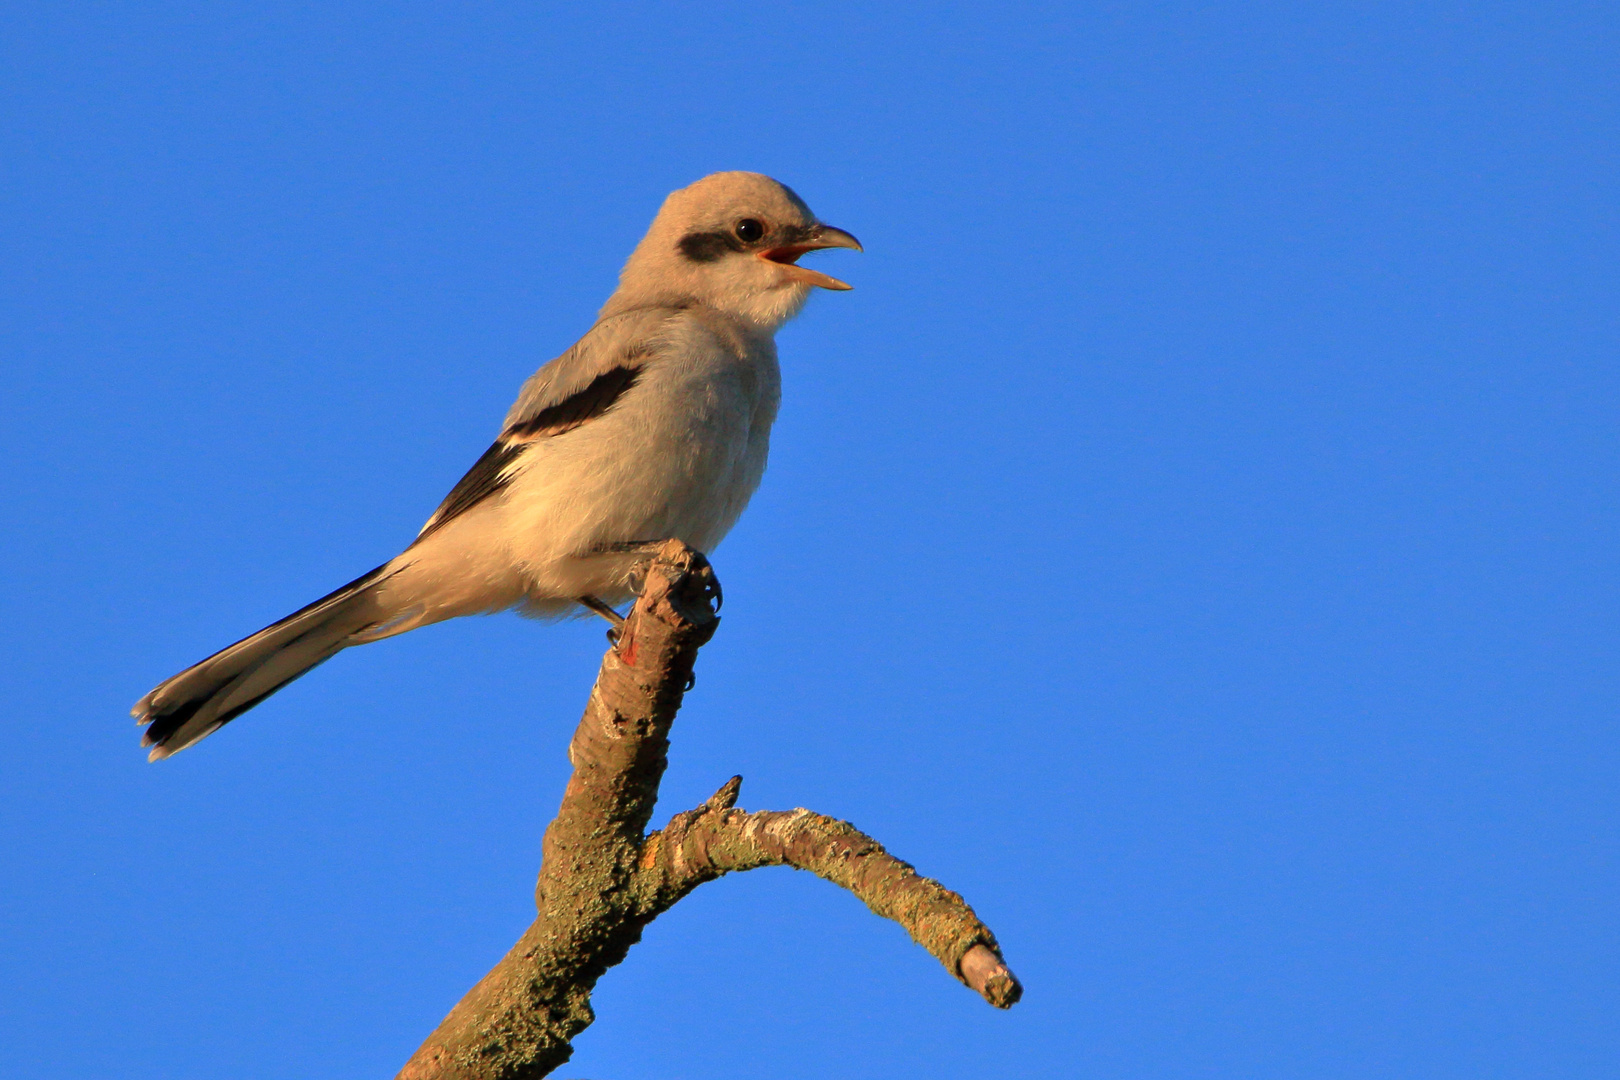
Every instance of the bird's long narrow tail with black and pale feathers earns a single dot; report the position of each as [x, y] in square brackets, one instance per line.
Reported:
[208, 695]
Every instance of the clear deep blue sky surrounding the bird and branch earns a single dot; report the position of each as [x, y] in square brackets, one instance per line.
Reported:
[1193, 540]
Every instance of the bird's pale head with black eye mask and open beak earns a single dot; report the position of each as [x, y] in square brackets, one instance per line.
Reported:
[733, 242]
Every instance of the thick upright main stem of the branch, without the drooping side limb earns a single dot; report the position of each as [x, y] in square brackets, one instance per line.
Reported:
[519, 1019]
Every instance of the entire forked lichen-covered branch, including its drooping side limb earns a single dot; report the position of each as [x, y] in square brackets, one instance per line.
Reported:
[602, 878]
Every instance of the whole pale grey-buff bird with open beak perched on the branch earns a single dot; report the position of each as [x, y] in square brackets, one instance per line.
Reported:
[654, 427]
